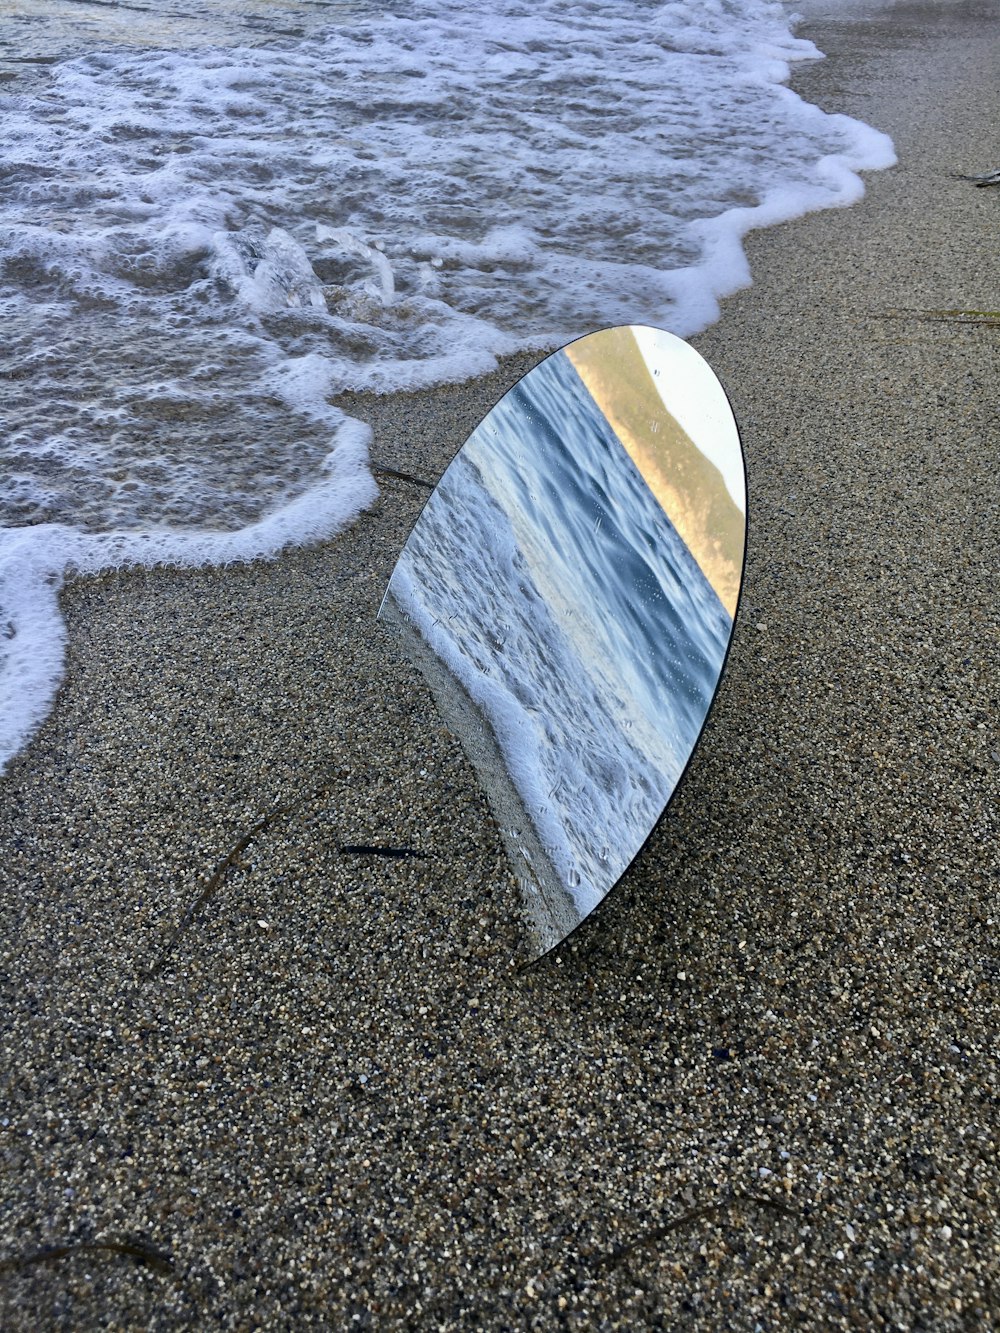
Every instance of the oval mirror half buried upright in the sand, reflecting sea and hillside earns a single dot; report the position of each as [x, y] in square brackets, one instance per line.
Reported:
[570, 593]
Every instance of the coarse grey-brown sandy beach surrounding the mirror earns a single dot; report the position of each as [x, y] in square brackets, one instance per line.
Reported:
[253, 1080]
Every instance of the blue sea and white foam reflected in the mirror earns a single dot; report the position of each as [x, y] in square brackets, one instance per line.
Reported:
[550, 582]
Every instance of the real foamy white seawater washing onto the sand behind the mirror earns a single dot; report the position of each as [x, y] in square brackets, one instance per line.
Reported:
[214, 222]
